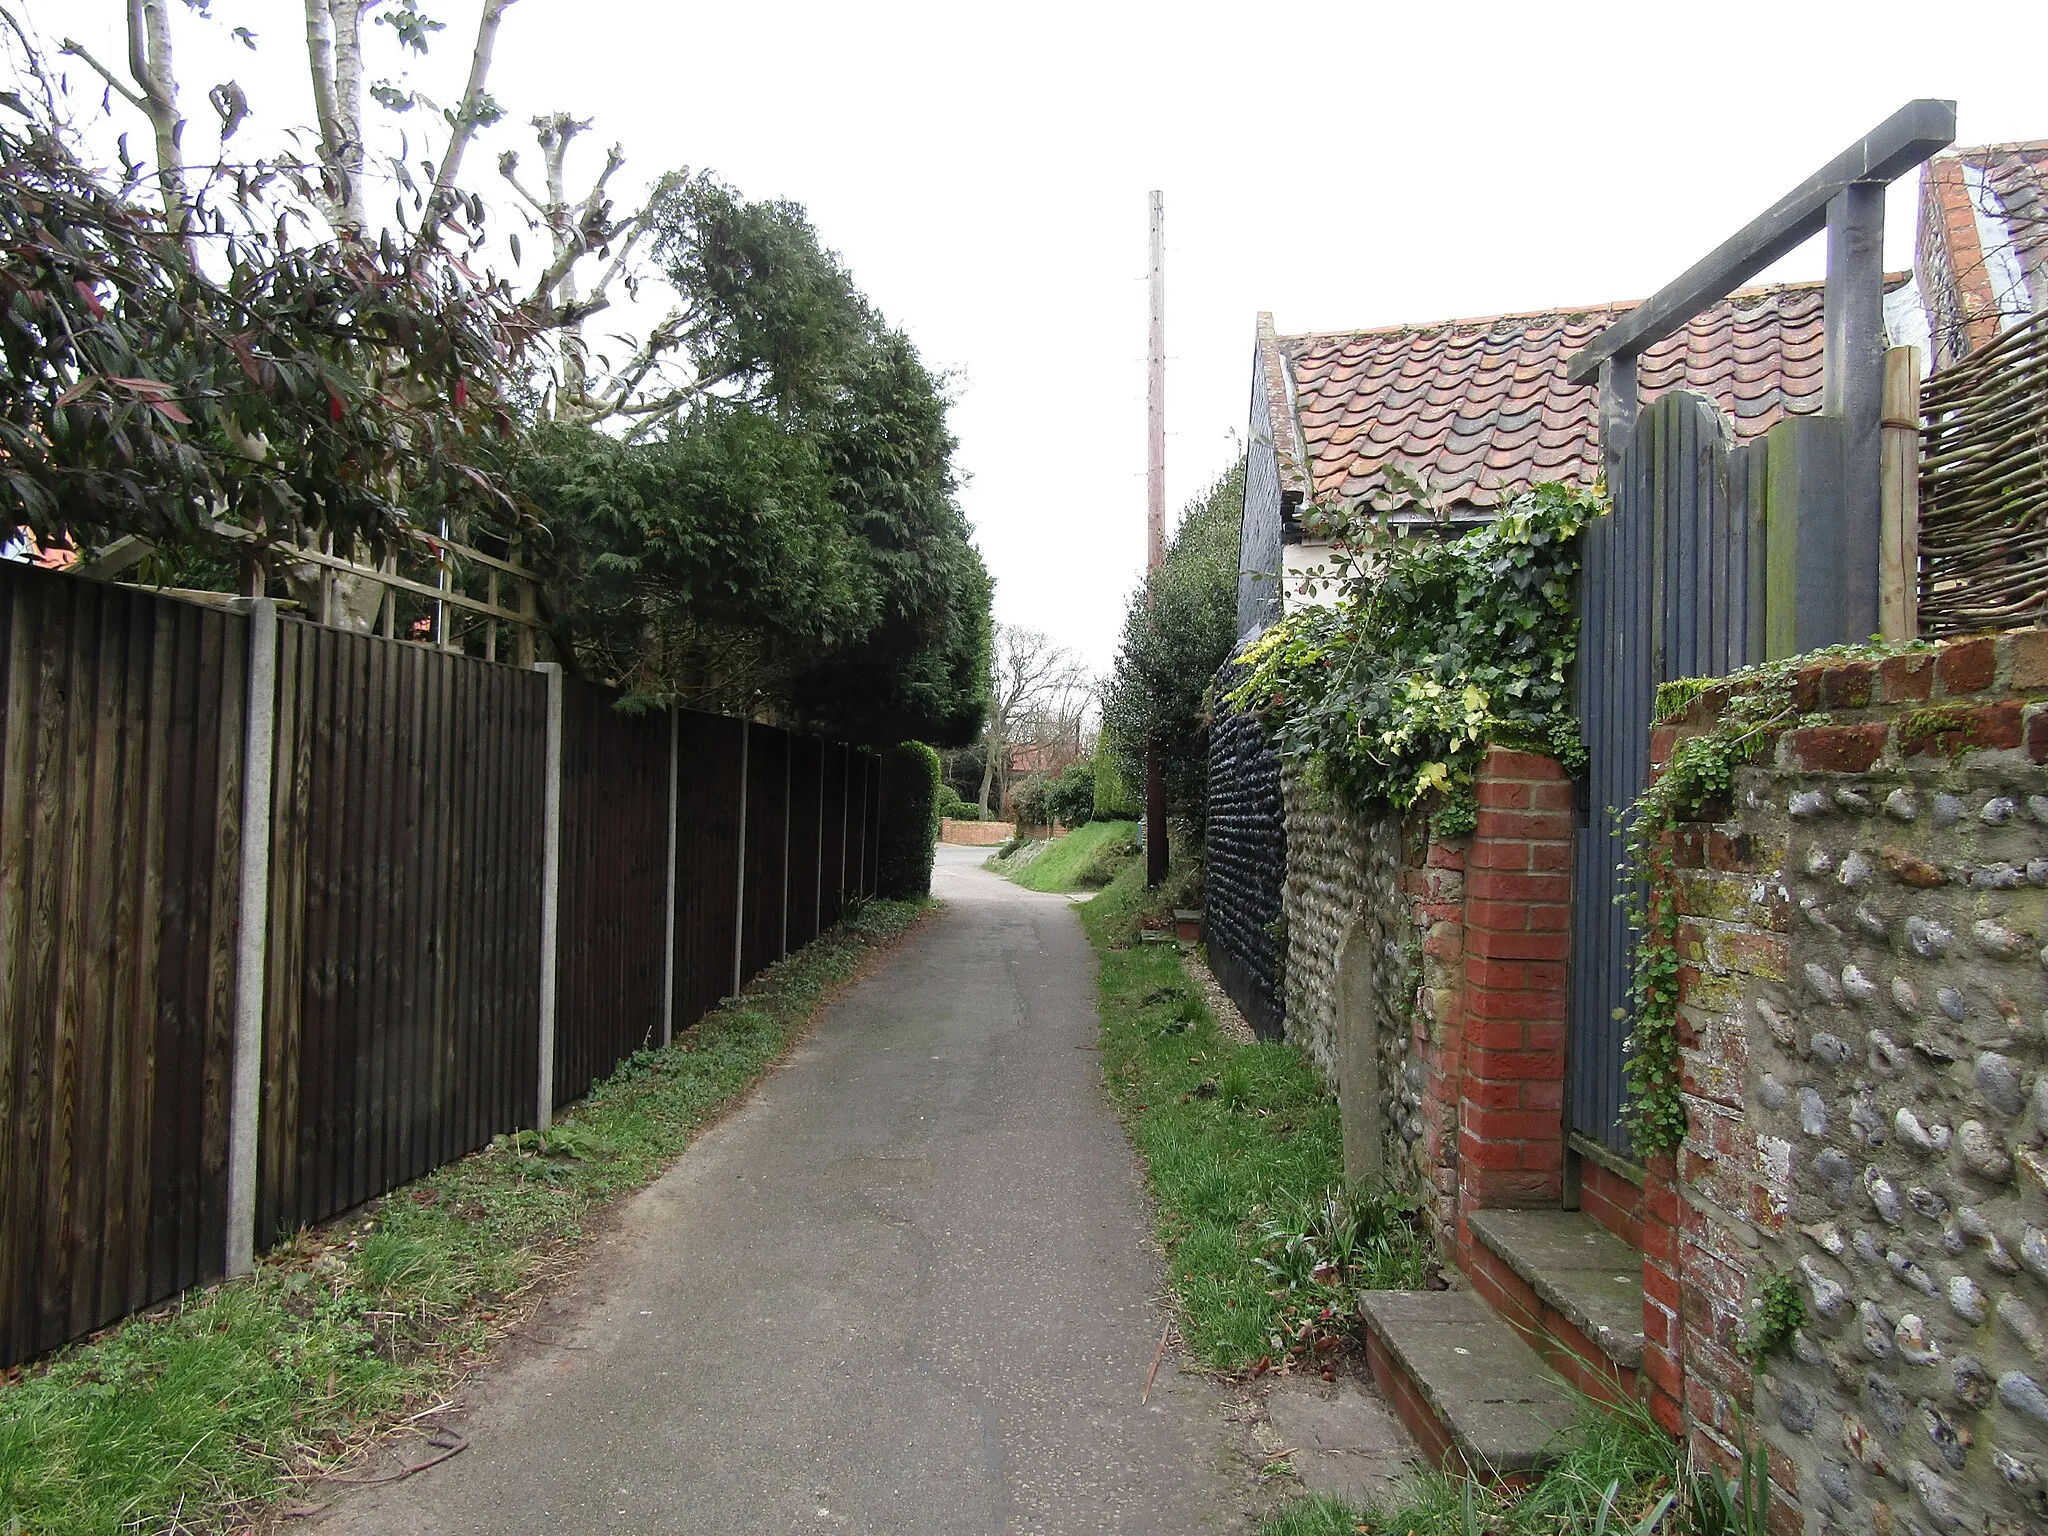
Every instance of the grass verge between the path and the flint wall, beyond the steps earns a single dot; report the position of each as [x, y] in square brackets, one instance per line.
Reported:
[1244, 1156]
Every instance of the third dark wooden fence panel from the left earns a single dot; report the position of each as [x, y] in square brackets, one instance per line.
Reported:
[613, 886]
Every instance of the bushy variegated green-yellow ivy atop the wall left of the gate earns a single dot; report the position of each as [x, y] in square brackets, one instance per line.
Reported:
[1435, 650]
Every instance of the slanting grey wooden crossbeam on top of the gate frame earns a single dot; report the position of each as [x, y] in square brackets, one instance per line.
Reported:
[1887, 153]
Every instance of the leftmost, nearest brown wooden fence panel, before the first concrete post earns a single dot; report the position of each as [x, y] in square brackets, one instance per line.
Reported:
[120, 806]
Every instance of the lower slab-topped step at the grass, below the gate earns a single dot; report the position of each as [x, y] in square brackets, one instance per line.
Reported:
[1465, 1385]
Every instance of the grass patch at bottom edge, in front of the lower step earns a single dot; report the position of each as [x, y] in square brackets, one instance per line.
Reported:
[1621, 1451]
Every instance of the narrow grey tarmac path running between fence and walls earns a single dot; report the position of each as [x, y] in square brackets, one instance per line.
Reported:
[908, 1287]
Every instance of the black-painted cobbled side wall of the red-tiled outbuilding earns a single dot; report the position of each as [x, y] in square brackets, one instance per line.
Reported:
[1244, 869]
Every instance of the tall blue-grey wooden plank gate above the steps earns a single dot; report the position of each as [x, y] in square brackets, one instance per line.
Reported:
[1672, 587]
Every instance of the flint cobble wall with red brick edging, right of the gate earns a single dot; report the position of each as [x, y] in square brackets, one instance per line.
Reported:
[1863, 1015]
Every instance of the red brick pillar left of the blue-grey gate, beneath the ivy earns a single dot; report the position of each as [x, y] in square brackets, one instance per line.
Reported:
[1517, 939]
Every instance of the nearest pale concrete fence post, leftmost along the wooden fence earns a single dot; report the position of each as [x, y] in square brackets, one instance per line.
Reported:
[253, 933]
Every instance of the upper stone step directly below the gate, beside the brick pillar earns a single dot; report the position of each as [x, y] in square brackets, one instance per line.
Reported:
[1580, 1269]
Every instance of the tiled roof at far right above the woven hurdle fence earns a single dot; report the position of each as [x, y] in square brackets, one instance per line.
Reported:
[1981, 255]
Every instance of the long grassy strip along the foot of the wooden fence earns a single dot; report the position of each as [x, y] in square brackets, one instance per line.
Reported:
[198, 1416]
